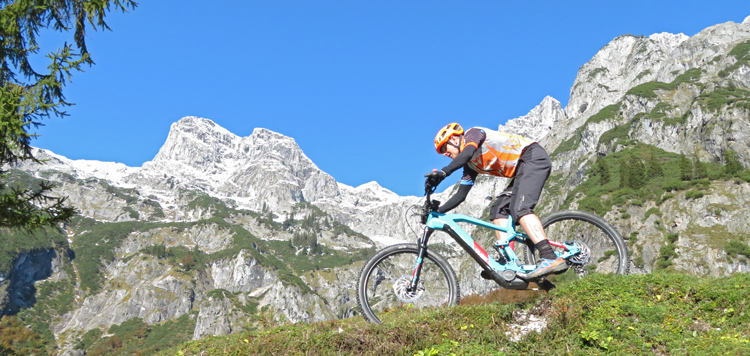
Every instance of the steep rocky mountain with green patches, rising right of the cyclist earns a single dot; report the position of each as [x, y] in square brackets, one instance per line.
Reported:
[655, 96]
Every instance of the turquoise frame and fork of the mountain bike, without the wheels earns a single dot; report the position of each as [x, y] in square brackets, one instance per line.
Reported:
[449, 224]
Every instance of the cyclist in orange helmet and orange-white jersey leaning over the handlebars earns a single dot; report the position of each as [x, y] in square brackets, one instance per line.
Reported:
[480, 150]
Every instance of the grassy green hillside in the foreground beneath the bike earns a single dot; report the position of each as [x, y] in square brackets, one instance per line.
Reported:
[662, 314]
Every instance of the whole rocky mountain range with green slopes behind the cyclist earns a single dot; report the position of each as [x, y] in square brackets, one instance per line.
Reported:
[221, 233]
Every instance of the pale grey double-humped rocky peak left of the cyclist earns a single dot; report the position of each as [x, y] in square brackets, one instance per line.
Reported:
[265, 167]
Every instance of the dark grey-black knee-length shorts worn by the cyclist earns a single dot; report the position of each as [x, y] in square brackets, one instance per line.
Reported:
[522, 194]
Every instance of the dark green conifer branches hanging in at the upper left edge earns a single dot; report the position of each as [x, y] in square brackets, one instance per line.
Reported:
[28, 96]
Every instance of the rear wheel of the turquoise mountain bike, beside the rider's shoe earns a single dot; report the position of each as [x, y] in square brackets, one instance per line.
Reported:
[607, 251]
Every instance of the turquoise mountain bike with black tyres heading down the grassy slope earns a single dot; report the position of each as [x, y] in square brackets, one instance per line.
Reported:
[412, 275]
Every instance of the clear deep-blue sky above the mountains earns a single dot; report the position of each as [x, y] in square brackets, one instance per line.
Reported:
[363, 86]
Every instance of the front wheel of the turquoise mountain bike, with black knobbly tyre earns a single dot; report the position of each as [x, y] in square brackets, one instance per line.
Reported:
[382, 284]
